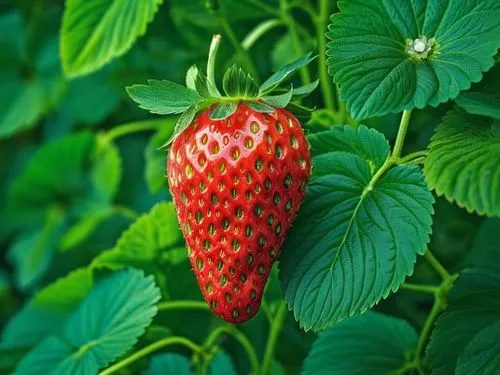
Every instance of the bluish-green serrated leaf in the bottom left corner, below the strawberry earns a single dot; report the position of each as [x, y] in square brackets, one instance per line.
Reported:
[100, 329]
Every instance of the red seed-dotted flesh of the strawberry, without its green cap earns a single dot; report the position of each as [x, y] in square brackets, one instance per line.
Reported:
[237, 185]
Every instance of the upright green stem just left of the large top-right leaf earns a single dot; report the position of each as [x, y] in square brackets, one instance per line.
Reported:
[327, 87]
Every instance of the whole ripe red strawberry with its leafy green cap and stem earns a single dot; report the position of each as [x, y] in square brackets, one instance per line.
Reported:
[237, 169]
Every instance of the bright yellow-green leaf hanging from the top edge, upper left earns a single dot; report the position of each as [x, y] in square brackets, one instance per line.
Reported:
[95, 31]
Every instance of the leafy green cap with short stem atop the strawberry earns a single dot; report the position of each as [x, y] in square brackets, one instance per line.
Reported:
[201, 92]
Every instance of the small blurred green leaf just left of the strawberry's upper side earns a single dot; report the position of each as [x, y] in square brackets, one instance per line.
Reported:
[155, 158]
